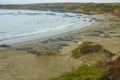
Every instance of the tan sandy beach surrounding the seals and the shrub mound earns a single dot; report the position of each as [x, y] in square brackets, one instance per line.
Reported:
[19, 65]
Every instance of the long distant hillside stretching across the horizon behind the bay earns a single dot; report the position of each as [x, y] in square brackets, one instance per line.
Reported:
[87, 8]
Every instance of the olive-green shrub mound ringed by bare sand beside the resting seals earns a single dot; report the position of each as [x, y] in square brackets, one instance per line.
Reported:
[88, 47]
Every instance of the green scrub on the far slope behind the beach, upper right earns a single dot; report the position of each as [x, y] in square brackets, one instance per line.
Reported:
[98, 8]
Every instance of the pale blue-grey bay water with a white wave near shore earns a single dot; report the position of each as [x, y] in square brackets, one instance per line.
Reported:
[24, 25]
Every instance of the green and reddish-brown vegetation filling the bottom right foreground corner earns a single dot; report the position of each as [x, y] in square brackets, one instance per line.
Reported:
[111, 71]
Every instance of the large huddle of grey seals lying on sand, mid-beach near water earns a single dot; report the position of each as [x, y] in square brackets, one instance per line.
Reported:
[55, 44]
